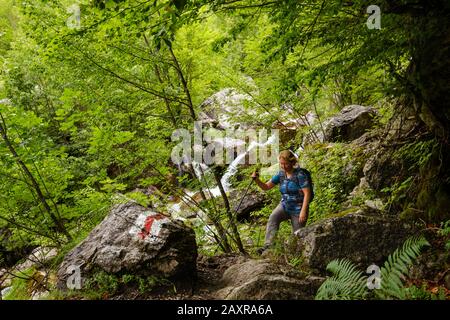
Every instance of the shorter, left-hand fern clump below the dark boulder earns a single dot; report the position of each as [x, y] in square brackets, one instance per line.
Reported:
[347, 282]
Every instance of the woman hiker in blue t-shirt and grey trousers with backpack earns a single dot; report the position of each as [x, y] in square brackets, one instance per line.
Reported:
[295, 191]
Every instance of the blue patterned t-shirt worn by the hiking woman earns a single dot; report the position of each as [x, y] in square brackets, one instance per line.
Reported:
[291, 194]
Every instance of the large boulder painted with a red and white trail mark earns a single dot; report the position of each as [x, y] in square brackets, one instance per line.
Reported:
[132, 239]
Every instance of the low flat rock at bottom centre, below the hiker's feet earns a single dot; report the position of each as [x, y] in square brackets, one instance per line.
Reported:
[263, 280]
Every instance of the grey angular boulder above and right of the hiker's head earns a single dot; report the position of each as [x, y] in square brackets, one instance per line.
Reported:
[351, 123]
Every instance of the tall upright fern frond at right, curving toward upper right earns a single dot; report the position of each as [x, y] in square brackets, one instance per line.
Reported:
[396, 267]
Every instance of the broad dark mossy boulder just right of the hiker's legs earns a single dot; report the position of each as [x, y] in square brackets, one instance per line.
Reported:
[364, 237]
